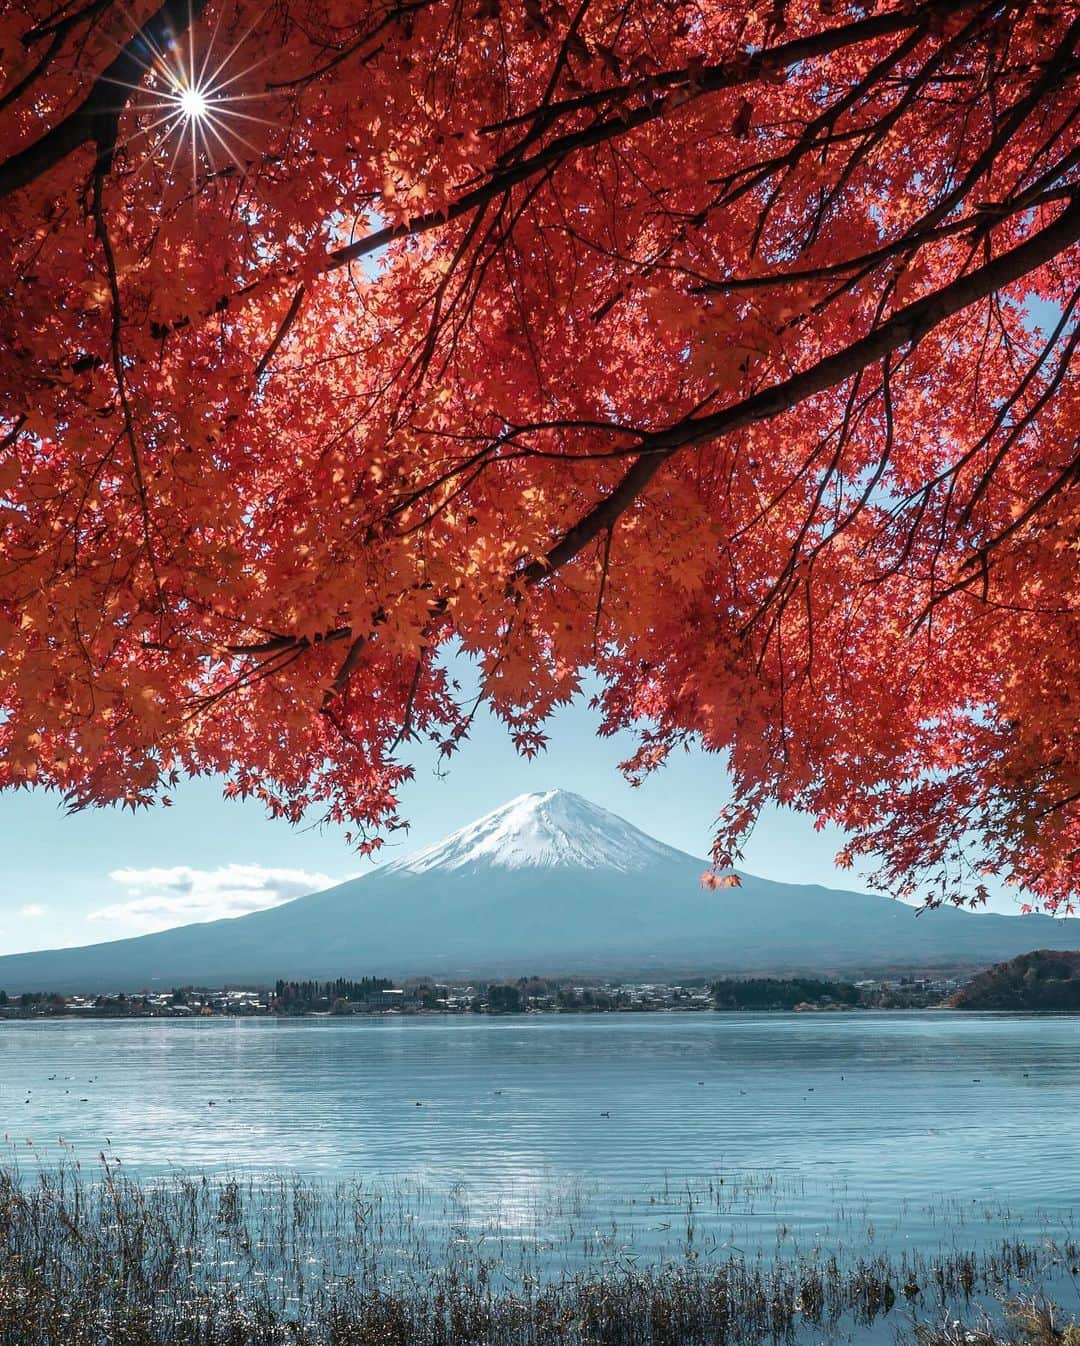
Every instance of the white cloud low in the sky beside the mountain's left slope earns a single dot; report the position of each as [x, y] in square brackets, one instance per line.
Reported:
[160, 898]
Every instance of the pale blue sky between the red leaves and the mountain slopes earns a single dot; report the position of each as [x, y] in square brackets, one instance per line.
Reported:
[106, 876]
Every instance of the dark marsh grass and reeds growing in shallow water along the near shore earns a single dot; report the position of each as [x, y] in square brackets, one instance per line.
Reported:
[231, 1262]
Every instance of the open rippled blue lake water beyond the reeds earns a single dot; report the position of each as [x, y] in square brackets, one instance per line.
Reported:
[767, 1129]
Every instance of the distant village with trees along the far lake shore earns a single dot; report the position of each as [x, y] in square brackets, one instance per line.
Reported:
[527, 995]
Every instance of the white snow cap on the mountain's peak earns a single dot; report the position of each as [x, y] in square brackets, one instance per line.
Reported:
[551, 830]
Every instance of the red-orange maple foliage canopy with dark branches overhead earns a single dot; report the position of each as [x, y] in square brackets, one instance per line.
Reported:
[721, 351]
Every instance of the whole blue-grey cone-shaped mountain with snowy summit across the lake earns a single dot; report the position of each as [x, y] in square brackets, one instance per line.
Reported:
[549, 884]
